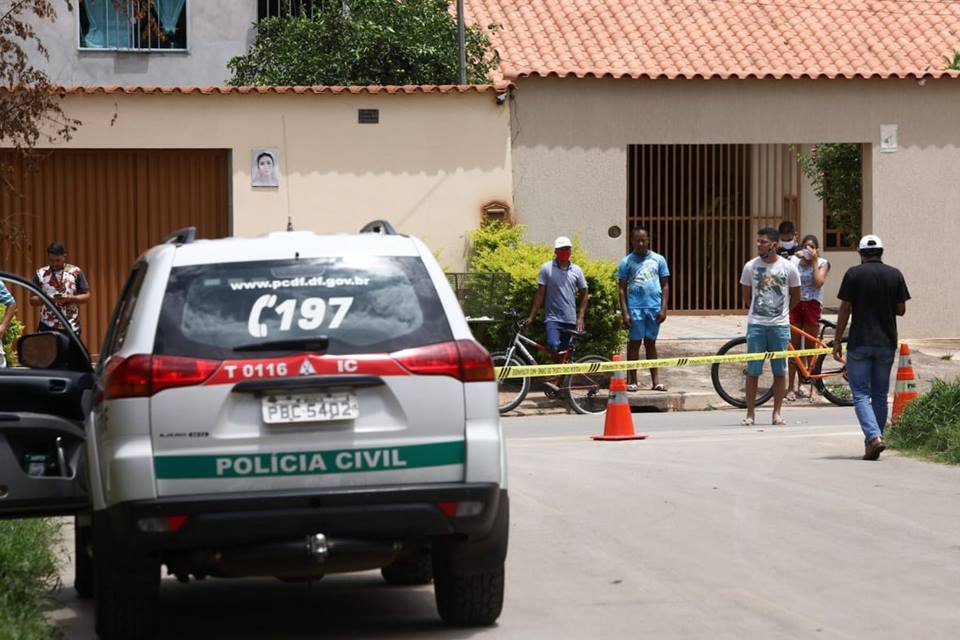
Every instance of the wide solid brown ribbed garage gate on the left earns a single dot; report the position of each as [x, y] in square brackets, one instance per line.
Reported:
[107, 207]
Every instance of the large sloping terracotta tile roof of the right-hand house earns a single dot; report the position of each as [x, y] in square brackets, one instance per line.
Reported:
[721, 38]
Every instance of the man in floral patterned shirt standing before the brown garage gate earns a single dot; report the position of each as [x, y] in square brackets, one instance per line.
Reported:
[63, 283]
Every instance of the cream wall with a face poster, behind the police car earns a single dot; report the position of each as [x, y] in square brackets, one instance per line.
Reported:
[428, 167]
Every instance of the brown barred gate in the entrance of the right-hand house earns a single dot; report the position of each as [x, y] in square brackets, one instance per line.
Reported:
[702, 205]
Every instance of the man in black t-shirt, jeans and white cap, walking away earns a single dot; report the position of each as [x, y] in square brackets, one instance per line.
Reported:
[875, 294]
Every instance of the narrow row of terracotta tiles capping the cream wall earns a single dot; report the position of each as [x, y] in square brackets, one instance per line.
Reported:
[371, 89]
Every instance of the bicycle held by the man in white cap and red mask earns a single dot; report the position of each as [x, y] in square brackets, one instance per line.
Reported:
[586, 393]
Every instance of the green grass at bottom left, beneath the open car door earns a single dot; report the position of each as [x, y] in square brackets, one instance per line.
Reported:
[28, 573]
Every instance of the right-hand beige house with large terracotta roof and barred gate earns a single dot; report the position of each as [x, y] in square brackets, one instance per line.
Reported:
[683, 115]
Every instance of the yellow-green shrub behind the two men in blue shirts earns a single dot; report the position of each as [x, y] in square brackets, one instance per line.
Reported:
[499, 248]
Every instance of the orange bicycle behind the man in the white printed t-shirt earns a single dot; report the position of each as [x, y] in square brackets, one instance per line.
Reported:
[827, 375]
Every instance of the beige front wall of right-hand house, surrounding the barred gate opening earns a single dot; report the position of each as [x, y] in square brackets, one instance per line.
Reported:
[570, 139]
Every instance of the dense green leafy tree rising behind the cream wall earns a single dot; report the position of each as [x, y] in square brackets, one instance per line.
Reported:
[386, 42]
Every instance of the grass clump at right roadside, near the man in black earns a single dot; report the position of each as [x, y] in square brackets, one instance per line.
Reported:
[930, 425]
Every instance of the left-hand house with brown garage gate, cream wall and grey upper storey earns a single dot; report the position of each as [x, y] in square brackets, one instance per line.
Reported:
[165, 144]
